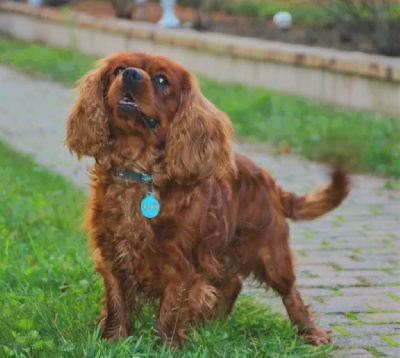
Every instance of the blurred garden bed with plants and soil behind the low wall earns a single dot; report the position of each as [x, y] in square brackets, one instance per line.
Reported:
[361, 25]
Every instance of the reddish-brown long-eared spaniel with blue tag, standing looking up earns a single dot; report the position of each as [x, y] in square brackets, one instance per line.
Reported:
[221, 218]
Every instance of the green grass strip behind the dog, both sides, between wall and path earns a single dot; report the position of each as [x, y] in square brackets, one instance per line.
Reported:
[363, 141]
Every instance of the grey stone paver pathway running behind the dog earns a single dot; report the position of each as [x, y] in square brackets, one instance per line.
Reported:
[348, 261]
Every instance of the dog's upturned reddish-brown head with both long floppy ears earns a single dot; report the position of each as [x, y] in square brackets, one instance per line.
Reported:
[158, 102]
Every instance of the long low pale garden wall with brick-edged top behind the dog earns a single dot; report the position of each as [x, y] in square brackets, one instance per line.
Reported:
[354, 80]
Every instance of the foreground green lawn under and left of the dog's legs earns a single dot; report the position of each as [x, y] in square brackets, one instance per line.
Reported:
[49, 295]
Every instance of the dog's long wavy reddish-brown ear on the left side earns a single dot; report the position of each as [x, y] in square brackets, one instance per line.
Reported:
[87, 124]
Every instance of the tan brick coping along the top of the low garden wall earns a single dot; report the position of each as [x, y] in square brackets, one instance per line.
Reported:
[351, 63]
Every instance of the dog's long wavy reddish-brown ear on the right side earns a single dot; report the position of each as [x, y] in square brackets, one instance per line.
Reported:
[198, 143]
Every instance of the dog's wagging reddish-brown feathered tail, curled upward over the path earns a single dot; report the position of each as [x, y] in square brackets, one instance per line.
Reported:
[319, 201]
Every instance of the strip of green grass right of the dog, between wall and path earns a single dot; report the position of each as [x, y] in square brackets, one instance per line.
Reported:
[364, 141]
